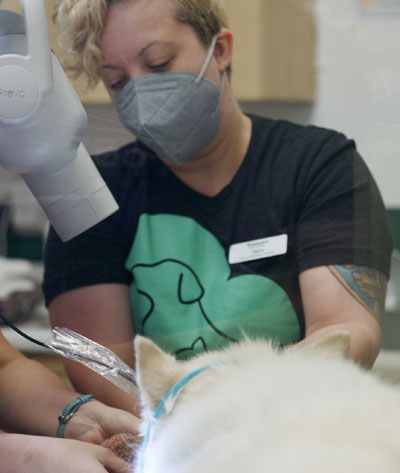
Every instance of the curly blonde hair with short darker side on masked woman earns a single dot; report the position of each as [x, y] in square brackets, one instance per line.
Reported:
[81, 24]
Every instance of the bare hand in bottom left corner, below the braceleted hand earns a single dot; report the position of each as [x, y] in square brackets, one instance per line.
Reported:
[48, 455]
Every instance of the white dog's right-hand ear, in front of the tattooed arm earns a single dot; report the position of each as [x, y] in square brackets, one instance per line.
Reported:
[332, 342]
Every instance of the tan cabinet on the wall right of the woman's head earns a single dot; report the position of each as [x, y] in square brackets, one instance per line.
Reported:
[274, 49]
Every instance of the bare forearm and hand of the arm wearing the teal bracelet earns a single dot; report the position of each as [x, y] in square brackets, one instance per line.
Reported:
[32, 398]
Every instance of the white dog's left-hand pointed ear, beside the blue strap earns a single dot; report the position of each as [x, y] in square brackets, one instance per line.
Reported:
[156, 371]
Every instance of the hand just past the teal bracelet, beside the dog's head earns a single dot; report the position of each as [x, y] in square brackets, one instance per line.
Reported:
[95, 422]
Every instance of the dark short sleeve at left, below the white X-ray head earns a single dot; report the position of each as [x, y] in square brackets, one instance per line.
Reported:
[98, 255]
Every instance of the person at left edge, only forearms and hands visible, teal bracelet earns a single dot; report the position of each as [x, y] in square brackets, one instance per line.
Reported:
[31, 400]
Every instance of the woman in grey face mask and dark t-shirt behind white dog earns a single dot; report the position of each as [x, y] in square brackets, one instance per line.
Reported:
[229, 223]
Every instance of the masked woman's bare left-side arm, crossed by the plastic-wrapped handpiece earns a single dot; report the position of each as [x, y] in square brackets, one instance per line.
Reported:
[102, 313]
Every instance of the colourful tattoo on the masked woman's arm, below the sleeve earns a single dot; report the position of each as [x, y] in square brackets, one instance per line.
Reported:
[366, 285]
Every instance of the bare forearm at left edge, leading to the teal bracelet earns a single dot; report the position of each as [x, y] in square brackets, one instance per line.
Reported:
[31, 398]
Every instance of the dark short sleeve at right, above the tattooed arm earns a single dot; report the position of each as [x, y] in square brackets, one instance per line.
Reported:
[342, 218]
